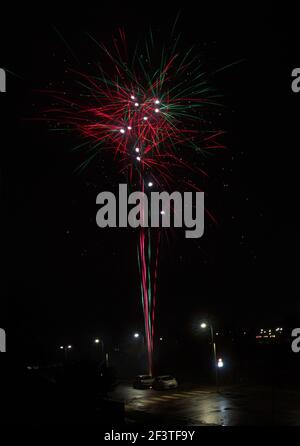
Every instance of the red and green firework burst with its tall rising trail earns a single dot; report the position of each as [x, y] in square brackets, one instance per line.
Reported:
[149, 112]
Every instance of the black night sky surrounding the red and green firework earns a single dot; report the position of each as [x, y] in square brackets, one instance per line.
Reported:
[64, 276]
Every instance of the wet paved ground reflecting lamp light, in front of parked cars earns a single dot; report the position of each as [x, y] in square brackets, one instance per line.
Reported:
[203, 406]
